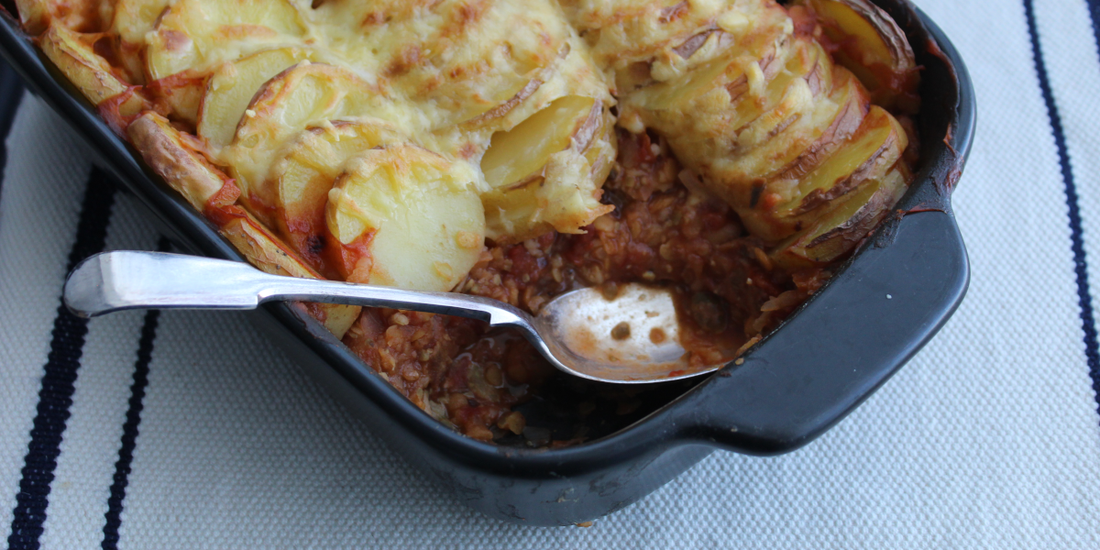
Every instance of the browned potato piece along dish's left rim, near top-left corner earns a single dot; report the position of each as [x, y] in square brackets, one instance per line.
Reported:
[74, 56]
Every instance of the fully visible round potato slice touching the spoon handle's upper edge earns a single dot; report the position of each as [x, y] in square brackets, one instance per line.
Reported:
[406, 217]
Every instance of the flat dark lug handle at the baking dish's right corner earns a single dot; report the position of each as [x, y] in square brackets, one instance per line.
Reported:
[827, 360]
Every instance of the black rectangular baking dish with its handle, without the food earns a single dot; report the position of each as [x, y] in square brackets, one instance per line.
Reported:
[886, 303]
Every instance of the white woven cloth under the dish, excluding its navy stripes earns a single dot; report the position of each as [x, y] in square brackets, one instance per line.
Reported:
[989, 438]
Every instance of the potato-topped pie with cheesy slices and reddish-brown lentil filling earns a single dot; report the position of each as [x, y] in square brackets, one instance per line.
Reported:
[733, 150]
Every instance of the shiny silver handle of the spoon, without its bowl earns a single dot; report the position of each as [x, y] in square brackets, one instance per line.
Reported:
[129, 280]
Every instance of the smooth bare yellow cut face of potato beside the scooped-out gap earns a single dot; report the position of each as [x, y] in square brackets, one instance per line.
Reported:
[515, 156]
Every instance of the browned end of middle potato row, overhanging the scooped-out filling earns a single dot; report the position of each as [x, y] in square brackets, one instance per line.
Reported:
[546, 172]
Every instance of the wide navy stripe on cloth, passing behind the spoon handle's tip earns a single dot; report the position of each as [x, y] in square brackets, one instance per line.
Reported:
[56, 395]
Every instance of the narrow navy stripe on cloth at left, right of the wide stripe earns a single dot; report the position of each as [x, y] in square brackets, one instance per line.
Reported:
[114, 516]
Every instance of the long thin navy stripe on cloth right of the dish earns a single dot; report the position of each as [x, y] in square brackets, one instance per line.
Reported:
[1077, 240]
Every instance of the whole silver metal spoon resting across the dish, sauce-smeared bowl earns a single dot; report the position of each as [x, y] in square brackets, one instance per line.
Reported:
[632, 339]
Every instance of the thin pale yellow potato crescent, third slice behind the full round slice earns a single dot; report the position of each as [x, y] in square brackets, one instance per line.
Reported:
[232, 87]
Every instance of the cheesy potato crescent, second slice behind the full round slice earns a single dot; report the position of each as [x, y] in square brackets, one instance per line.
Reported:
[305, 95]
